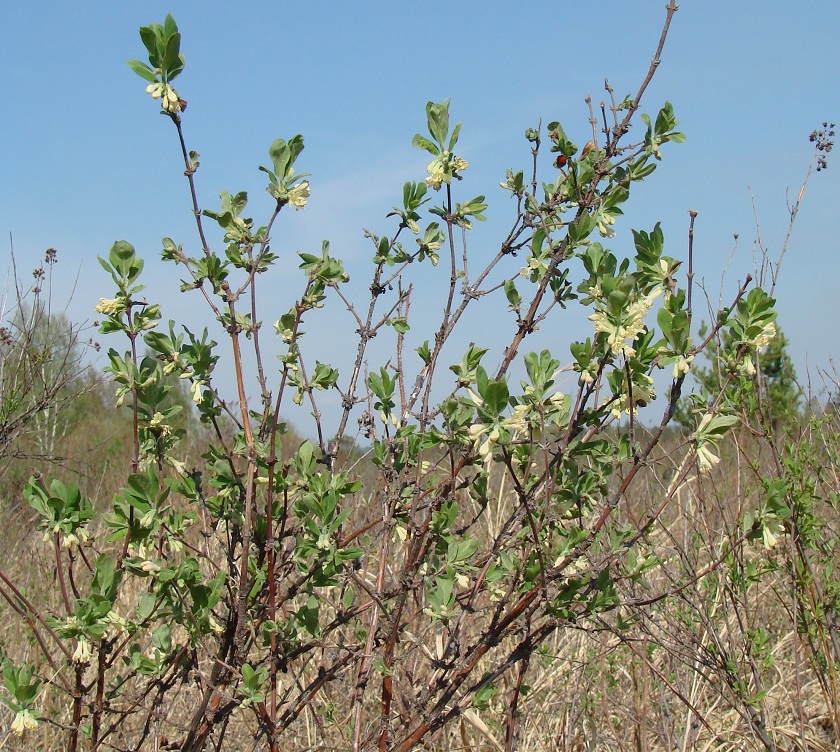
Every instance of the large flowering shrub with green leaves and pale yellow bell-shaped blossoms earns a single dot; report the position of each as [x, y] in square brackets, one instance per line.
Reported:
[387, 596]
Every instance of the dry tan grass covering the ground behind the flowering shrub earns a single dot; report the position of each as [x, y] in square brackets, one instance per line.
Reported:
[675, 667]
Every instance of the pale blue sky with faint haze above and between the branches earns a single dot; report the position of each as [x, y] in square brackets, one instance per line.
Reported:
[85, 158]
